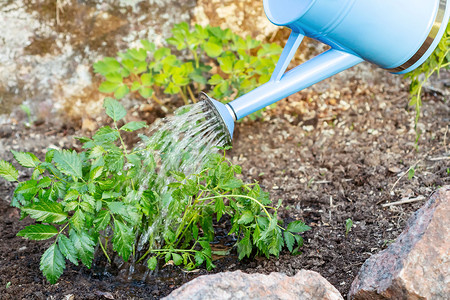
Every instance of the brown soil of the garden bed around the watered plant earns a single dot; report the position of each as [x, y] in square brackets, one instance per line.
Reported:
[330, 156]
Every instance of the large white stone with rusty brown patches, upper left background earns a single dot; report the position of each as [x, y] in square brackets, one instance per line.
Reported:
[48, 47]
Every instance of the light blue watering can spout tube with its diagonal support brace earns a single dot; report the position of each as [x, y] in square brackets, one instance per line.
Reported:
[283, 84]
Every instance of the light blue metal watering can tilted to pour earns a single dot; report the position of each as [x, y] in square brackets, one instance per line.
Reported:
[396, 35]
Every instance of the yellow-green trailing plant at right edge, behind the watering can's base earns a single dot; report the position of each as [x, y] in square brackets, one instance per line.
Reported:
[439, 59]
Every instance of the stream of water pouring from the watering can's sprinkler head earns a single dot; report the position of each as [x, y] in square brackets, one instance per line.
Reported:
[181, 142]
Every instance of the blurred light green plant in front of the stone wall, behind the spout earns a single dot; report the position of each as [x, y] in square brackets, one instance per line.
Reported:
[217, 60]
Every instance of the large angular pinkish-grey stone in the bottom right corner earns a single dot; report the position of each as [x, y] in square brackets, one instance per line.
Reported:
[417, 264]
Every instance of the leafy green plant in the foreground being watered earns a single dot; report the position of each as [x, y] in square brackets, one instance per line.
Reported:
[96, 198]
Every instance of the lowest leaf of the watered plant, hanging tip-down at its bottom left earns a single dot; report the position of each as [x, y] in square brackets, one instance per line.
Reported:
[52, 263]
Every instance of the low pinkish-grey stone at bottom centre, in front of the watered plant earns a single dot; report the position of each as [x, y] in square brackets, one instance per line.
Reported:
[237, 285]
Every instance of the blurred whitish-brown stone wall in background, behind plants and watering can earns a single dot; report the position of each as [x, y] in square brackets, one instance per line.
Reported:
[48, 47]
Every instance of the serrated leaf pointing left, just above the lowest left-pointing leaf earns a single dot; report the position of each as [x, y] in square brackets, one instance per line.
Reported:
[46, 211]
